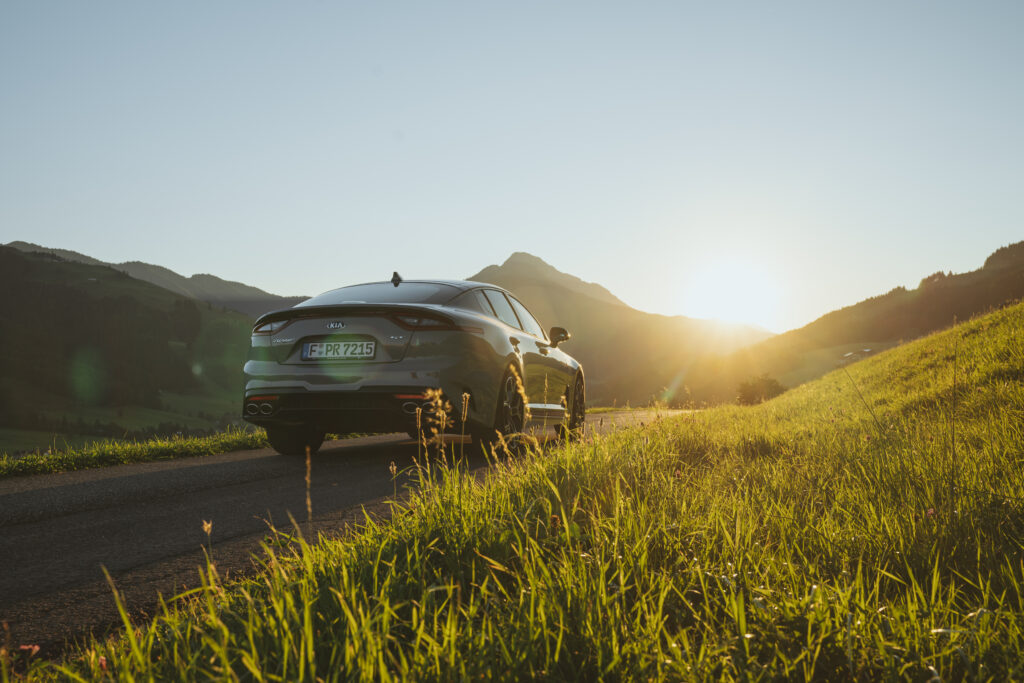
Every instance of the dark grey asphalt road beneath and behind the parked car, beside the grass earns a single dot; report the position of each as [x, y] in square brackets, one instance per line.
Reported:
[144, 524]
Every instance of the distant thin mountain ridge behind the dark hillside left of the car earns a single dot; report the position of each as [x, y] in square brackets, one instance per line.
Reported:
[236, 296]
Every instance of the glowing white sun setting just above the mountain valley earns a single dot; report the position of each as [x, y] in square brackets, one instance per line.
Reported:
[734, 290]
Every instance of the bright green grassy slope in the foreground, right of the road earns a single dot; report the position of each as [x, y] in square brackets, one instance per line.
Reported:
[865, 527]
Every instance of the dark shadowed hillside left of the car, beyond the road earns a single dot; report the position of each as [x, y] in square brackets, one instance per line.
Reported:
[90, 350]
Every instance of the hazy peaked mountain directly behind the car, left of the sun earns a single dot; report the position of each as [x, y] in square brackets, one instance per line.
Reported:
[628, 356]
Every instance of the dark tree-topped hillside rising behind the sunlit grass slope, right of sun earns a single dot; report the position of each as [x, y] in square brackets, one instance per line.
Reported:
[875, 324]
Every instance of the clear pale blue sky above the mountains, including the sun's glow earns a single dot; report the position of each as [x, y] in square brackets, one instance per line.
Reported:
[761, 161]
